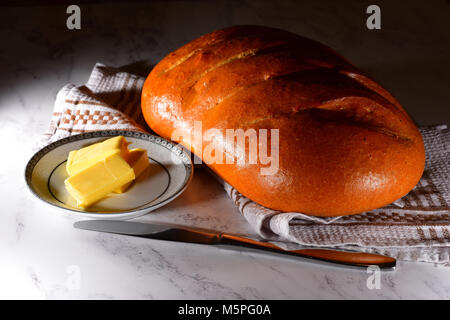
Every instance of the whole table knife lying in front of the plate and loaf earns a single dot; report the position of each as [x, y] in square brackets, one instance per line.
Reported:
[198, 236]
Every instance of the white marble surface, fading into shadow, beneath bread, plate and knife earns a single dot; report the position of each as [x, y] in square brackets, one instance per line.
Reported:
[42, 255]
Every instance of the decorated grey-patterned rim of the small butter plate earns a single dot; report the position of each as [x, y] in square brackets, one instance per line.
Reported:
[171, 146]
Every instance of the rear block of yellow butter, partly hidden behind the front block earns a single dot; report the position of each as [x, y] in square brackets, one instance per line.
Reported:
[80, 159]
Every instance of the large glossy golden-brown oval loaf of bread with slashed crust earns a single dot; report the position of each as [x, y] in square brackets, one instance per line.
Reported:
[345, 145]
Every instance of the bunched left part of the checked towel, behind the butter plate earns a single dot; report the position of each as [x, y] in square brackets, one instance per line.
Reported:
[110, 100]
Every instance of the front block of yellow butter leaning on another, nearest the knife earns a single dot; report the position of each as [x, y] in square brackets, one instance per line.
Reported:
[99, 179]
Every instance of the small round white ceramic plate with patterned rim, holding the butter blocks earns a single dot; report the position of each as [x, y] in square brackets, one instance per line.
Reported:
[168, 175]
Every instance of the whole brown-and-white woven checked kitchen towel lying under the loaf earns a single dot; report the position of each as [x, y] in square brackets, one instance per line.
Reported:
[414, 228]
